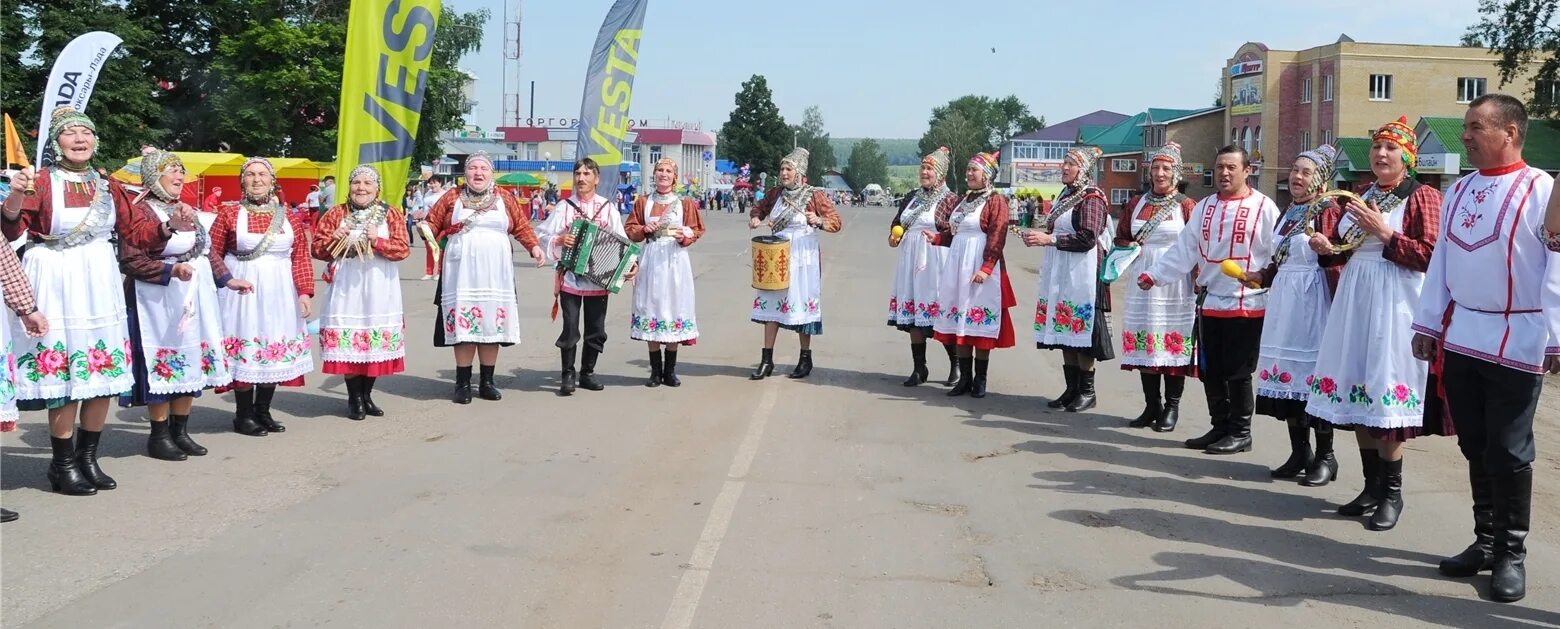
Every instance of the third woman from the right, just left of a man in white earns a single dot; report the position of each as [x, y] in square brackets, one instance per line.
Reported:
[1158, 325]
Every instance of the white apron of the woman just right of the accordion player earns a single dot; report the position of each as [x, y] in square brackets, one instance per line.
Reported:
[664, 296]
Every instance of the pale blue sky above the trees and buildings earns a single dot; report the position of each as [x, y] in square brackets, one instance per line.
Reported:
[879, 68]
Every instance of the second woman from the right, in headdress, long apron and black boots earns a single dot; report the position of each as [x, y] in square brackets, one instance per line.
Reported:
[1300, 294]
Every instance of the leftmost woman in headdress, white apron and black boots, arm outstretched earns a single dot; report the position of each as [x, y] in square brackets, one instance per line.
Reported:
[85, 358]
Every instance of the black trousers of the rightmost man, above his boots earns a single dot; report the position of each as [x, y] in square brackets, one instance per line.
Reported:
[1494, 411]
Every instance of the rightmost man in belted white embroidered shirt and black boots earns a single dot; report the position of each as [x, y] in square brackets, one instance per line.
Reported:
[1489, 321]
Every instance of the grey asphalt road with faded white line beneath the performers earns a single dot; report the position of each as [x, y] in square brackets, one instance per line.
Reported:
[838, 502]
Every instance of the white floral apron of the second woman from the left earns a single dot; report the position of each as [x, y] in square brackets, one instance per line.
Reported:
[182, 324]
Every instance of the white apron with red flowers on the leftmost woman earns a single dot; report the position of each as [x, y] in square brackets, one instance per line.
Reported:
[87, 352]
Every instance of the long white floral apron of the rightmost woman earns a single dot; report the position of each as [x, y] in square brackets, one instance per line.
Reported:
[1367, 374]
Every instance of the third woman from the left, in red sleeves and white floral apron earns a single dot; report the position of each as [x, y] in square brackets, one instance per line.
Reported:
[268, 341]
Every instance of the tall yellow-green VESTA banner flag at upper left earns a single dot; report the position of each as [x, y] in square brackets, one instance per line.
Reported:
[389, 44]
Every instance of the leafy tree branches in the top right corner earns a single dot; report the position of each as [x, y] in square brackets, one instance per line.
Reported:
[1522, 32]
